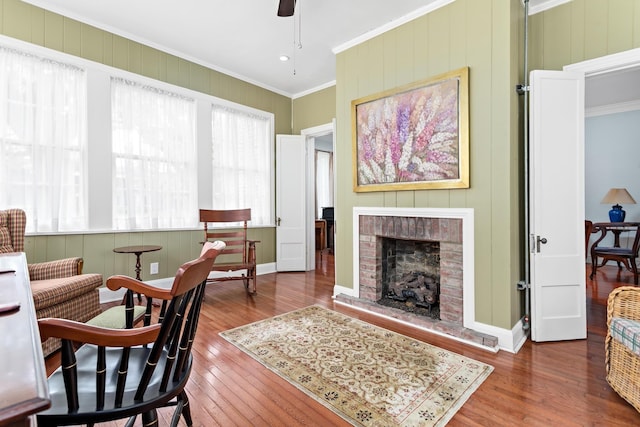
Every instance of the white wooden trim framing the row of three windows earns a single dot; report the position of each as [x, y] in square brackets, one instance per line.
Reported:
[99, 180]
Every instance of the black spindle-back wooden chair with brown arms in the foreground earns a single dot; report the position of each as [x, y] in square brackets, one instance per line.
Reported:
[120, 373]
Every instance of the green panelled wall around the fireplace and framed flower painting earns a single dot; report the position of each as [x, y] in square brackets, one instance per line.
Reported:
[483, 35]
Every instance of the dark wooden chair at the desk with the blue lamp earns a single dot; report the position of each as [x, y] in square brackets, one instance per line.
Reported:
[626, 255]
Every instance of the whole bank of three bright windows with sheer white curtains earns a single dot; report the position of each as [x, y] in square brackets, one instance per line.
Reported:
[89, 148]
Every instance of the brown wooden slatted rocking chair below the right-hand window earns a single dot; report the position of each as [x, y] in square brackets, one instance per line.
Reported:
[239, 256]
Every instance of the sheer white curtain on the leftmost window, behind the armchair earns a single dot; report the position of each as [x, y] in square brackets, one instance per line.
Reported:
[43, 141]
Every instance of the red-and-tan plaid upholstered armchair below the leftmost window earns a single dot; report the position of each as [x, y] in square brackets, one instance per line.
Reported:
[59, 288]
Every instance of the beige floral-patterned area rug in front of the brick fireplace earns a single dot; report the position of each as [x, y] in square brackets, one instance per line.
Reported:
[368, 375]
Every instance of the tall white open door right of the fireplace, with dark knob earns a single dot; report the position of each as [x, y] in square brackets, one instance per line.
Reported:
[556, 183]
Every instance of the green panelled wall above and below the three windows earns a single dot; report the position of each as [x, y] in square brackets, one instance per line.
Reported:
[32, 24]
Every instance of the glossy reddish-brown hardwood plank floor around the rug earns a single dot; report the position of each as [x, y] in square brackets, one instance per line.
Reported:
[547, 384]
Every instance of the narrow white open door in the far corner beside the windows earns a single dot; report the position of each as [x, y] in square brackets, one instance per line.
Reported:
[291, 244]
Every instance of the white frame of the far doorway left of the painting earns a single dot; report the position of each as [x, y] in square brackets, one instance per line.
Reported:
[310, 134]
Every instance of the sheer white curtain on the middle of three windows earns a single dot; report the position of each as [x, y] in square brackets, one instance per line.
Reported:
[154, 158]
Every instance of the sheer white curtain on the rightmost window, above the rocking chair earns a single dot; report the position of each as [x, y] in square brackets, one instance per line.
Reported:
[242, 163]
